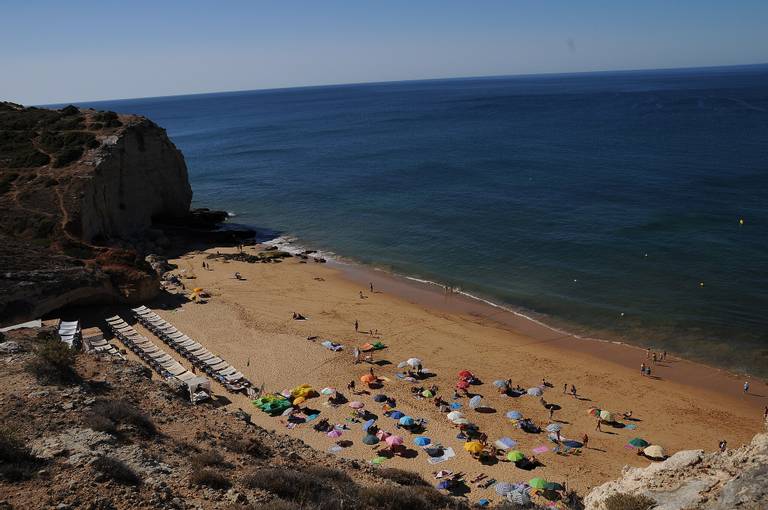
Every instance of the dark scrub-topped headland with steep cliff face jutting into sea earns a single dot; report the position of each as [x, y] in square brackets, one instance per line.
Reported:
[79, 191]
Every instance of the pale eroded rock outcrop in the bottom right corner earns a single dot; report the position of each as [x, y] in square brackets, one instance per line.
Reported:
[697, 480]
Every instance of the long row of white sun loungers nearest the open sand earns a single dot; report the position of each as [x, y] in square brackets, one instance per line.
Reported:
[198, 355]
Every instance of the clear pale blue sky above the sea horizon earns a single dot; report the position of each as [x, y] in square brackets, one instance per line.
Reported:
[57, 51]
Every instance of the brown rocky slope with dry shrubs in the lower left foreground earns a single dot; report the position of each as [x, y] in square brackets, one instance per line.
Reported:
[95, 433]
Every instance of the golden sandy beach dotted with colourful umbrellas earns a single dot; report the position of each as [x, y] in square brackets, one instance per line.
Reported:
[249, 323]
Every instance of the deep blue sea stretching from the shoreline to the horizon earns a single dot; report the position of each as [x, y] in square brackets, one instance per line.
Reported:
[609, 204]
